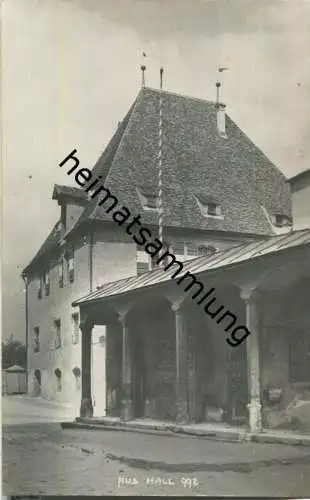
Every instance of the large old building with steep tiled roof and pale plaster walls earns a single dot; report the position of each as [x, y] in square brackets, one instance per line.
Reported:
[219, 191]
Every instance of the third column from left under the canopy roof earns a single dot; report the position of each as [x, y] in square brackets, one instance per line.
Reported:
[182, 413]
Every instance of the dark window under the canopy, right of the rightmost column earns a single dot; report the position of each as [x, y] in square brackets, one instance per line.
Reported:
[299, 356]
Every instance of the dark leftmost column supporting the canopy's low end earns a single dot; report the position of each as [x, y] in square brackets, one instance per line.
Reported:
[86, 409]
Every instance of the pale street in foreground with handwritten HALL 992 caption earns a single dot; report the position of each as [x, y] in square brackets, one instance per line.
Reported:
[40, 458]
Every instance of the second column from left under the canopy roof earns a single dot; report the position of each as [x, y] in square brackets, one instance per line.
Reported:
[127, 410]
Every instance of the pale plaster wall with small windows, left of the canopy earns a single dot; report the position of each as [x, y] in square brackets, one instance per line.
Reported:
[42, 313]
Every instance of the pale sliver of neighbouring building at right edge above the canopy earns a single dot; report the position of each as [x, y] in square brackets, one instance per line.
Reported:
[300, 187]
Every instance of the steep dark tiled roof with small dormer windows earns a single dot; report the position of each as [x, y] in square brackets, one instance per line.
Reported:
[197, 162]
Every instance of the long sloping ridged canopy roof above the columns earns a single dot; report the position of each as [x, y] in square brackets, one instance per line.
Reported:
[219, 260]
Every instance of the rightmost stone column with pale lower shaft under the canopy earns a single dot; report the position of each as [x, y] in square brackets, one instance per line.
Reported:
[250, 298]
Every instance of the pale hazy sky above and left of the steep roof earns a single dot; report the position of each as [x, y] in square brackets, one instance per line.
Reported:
[71, 70]
